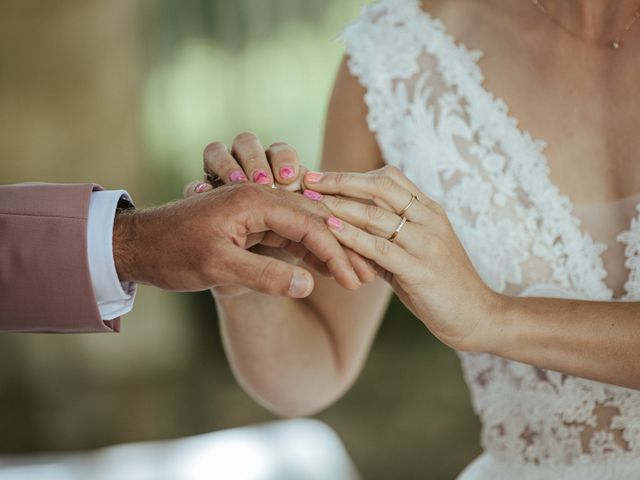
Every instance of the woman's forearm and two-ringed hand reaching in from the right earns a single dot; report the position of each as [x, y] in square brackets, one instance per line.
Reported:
[432, 274]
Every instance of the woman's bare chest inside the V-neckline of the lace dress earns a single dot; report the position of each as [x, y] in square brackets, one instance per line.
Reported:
[585, 107]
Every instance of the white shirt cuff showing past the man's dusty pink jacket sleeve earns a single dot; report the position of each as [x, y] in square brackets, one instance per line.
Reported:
[114, 298]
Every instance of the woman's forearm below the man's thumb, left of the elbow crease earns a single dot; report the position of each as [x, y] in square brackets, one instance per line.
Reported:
[281, 352]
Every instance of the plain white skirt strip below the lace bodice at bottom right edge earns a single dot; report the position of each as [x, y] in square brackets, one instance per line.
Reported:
[487, 467]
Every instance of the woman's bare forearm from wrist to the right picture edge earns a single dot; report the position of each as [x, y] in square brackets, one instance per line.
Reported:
[595, 340]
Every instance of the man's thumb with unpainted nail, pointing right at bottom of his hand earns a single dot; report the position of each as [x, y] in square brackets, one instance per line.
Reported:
[269, 275]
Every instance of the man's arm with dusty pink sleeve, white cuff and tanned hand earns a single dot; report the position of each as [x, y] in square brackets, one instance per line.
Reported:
[58, 273]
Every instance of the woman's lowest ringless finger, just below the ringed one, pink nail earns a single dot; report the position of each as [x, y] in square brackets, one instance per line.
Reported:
[387, 255]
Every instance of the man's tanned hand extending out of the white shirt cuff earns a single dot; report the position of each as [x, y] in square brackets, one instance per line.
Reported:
[200, 242]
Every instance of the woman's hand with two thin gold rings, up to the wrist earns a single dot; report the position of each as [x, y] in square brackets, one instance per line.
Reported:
[424, 261]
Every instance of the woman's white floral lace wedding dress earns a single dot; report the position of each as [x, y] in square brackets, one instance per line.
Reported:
[434, 119]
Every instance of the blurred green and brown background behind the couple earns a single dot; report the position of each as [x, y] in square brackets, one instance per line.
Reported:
[127, 93]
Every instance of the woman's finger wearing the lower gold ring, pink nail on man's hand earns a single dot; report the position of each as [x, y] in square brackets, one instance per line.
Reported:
[377, 221]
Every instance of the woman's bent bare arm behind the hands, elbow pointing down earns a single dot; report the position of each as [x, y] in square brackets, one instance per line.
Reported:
[297, 356]
